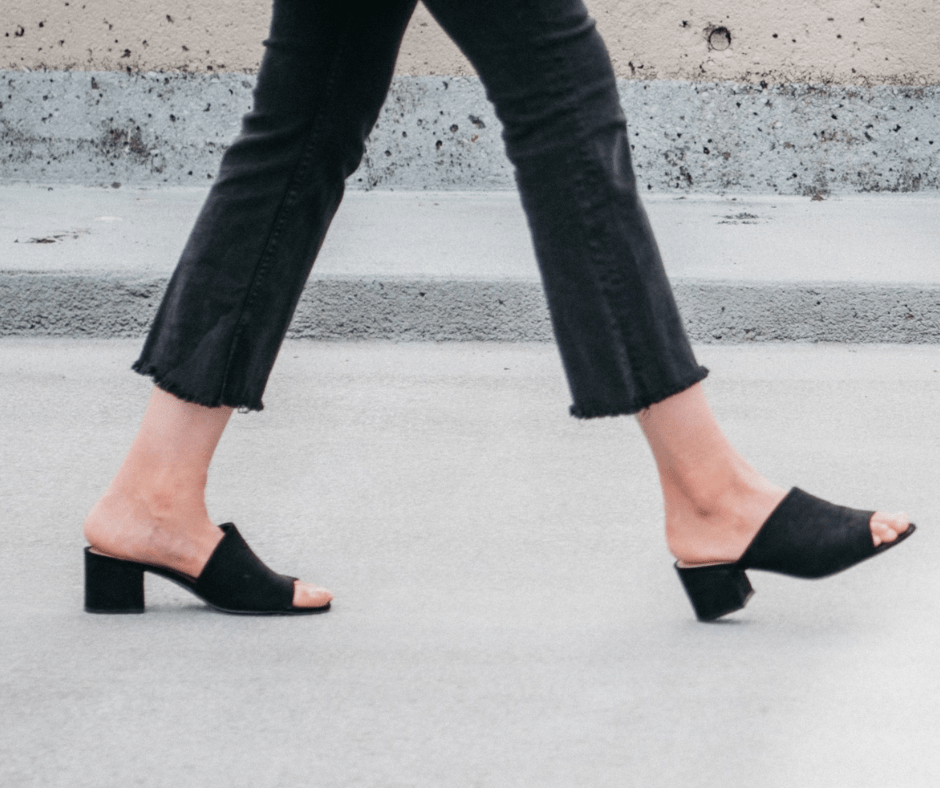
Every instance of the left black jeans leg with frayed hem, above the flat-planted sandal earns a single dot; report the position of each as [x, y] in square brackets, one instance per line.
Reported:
[325, 74]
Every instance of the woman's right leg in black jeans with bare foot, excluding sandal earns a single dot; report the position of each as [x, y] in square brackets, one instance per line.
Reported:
[621, 338]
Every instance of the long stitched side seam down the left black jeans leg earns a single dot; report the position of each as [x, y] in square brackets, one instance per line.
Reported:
[287, 204]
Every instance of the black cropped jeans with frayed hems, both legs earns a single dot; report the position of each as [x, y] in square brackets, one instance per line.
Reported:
[325, 74]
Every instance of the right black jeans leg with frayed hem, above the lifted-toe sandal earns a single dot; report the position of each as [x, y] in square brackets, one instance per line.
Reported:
[547, 72]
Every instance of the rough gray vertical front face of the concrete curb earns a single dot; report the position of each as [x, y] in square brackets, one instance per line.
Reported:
[406, 309]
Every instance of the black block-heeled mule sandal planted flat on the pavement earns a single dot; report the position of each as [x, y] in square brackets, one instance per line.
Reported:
[234, 580]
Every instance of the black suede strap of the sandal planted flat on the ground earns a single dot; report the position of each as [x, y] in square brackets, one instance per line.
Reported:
[235, 579]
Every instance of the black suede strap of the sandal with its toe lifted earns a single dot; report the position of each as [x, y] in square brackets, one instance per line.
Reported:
[806, 536]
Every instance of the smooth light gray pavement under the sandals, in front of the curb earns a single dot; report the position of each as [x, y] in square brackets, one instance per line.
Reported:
[506, 613]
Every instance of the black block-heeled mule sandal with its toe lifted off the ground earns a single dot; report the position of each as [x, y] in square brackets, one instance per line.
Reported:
[804, 536]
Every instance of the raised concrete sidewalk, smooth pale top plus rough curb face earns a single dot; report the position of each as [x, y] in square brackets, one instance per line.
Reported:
[456, 266]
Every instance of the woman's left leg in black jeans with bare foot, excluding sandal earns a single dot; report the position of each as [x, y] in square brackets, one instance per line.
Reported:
[322, 82]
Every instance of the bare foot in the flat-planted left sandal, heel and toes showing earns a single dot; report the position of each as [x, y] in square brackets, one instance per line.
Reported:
[167, 533]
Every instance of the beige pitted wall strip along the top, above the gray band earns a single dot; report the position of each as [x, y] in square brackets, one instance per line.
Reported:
[843, 41]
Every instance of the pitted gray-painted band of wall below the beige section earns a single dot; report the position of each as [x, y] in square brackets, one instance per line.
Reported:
[440, 133]
